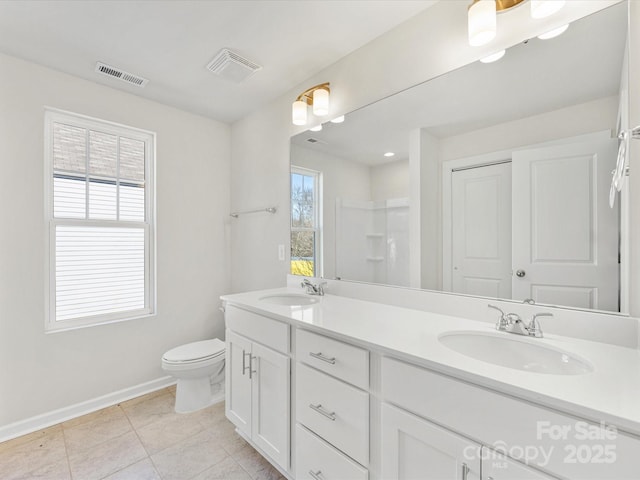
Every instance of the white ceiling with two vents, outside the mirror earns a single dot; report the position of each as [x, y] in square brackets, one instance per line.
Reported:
[171, 42]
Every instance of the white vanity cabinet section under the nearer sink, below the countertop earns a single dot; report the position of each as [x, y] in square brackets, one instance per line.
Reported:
[525, 430]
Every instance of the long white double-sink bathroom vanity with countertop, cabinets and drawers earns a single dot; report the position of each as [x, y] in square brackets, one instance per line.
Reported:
[330, 387]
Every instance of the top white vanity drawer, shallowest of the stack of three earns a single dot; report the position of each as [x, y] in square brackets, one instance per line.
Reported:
[336, 358]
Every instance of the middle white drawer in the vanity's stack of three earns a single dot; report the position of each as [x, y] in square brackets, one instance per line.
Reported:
[334, 410]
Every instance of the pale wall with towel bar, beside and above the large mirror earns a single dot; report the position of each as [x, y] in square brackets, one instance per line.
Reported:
[430, 44]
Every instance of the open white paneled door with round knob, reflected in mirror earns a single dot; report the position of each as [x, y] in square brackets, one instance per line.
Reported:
[565, 235]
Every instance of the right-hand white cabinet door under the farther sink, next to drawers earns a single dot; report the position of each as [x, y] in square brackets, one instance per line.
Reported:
[270, 403]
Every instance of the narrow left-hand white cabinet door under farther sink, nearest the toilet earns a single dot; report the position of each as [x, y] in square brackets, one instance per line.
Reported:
[238, 381]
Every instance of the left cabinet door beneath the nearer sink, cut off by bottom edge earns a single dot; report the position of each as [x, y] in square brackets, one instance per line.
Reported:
[413, 448]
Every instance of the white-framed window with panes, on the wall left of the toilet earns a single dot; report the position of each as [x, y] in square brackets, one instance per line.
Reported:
[99, 212]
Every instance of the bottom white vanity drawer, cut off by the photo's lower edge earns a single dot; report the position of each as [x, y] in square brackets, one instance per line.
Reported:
[327, 463]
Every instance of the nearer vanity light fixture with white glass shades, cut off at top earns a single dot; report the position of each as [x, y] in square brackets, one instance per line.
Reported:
[482, 16]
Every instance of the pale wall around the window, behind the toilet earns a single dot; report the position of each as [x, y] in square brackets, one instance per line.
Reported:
[40, 373]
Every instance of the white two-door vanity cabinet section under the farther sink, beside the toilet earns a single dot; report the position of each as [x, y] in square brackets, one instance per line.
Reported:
[258, 383]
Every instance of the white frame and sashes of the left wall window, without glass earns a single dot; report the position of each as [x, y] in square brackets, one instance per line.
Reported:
[54, 115]
